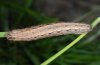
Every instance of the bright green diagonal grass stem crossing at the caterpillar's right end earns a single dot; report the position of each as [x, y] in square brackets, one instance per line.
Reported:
[97, 21]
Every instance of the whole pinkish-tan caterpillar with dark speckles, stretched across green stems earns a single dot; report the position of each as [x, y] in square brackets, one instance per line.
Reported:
[47, 30]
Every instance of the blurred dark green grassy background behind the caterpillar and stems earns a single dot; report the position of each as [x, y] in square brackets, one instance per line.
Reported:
[16, 14]
